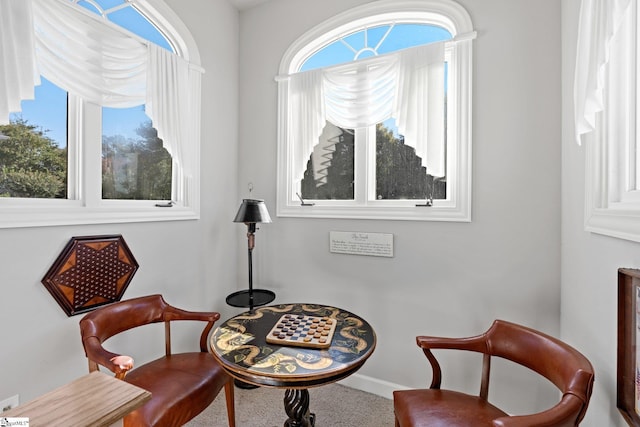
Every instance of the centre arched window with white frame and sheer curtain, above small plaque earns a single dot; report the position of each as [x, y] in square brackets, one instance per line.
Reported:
[374, 115]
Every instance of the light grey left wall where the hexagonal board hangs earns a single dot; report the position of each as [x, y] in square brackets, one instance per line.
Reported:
[189, 262]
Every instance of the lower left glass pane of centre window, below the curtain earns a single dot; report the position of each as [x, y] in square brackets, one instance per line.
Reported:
[329, 173]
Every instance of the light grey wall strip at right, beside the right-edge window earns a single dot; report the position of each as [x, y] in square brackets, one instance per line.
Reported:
[590, 262]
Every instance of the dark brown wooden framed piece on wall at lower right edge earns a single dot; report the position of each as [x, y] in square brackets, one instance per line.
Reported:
[628, 378]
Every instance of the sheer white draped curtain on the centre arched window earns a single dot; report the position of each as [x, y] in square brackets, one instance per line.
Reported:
[407, 85]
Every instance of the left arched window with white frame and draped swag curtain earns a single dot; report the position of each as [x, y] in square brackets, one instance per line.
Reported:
[120, 166]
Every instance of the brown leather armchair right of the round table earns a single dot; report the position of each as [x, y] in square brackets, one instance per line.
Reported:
[564, 366]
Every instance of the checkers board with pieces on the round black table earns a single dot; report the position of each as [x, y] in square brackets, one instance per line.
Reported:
[303, 331]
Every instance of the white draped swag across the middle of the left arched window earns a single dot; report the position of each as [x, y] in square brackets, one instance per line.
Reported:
[84, 55]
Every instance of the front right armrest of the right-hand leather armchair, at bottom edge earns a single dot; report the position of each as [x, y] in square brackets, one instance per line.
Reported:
[562, 415]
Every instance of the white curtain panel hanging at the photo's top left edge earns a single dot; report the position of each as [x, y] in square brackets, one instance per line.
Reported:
[18, 74]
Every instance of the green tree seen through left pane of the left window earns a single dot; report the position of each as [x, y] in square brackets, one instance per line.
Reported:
[31, 164]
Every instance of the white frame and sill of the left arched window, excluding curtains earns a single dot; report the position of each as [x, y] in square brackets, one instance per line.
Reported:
[84, 203]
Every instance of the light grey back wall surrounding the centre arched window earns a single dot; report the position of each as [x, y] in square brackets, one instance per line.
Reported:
[446, 278]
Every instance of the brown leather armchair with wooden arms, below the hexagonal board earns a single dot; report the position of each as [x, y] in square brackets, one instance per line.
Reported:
[182, 385]
